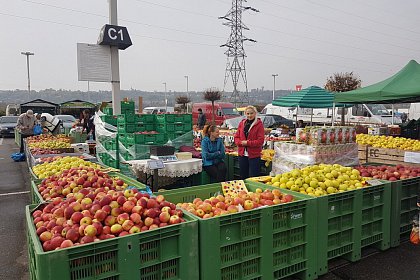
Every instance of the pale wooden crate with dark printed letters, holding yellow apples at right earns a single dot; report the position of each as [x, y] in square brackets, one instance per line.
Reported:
[387, 156]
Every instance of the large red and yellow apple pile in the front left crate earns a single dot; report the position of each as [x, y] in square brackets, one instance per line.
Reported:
[71, 222]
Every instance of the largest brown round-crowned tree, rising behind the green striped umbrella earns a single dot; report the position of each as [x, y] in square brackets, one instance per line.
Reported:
[341, 82]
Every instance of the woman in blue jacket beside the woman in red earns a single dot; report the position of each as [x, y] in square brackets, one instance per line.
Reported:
[213, 154]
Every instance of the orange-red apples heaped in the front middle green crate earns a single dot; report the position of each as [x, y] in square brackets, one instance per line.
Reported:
[223, 205]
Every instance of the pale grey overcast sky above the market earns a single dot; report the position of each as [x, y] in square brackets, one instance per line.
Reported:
[303, 41]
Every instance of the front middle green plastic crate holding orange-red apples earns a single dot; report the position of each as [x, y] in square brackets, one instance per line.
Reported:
[264, 243]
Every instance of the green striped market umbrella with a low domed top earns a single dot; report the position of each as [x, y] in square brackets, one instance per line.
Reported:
[311, 97]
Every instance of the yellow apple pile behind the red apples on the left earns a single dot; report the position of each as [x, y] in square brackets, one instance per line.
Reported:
[46, 170]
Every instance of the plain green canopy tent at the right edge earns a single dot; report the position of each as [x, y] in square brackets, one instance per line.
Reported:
[403, 87]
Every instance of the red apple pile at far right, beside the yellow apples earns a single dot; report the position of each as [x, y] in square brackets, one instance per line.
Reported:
[390, 173]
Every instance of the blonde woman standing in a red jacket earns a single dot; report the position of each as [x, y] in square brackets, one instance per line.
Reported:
[250, 138]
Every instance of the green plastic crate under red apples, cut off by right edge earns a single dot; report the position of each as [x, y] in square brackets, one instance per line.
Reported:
[403, 208]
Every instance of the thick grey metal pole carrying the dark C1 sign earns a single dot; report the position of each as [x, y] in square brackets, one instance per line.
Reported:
[115, 68]
